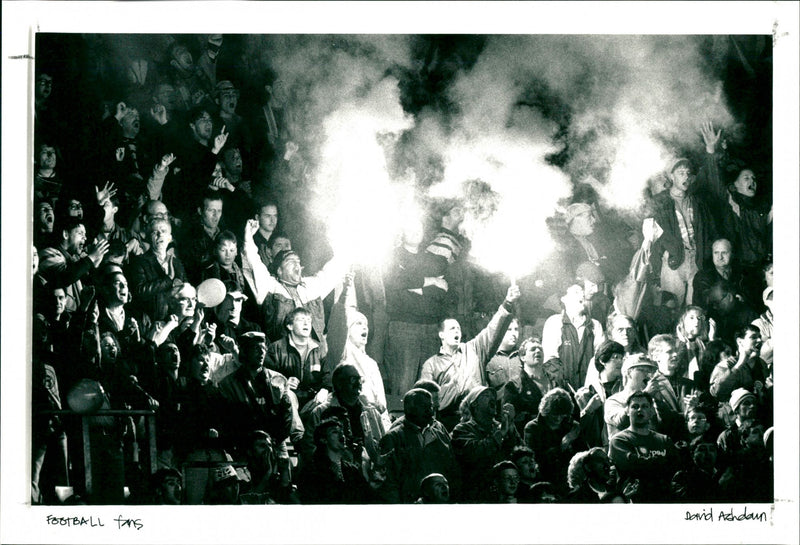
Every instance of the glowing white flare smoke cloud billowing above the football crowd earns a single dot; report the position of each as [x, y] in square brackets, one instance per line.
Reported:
[613, 109]
